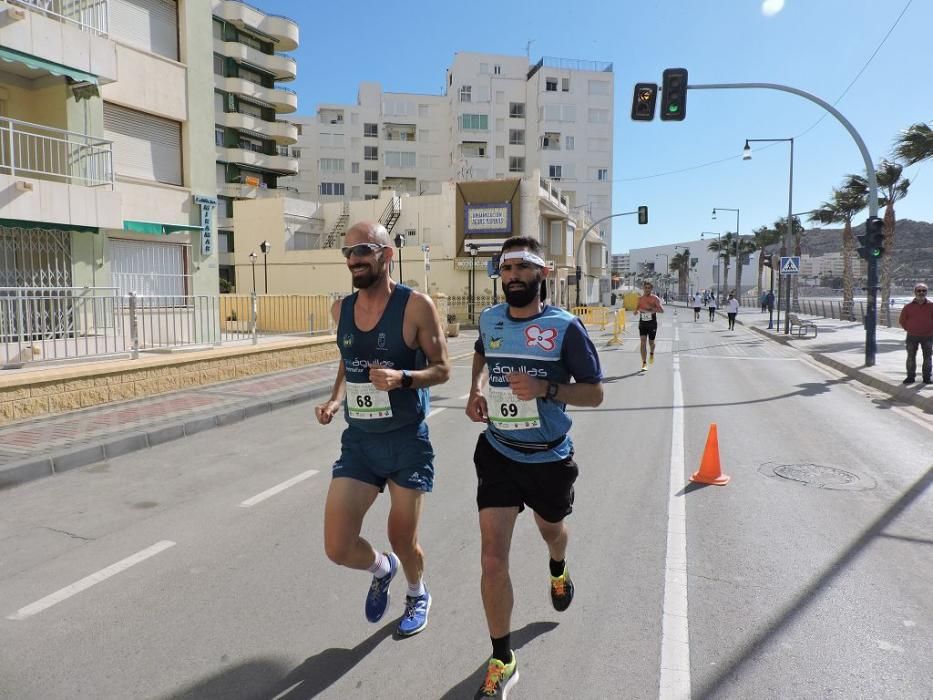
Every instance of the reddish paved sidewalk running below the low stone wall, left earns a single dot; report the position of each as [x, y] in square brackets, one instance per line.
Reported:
[41, 447]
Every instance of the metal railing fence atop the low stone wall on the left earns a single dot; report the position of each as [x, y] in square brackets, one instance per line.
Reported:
[44, 325]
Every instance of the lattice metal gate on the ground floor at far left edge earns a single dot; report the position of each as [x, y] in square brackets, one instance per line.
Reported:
[31, 257]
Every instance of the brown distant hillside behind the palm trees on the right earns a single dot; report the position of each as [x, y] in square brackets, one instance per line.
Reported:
[913, 255]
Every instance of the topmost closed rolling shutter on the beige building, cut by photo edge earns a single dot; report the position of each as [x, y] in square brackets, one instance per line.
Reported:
[150, 25]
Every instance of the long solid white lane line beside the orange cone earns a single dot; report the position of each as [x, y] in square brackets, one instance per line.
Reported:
[675, 638]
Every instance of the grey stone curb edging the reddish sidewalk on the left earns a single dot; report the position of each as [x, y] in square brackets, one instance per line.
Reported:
[23, 471]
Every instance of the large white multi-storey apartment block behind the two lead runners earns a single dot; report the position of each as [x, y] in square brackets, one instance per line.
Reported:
[499, 118]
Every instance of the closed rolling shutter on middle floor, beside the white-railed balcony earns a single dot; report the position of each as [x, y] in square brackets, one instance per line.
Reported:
[144, 146]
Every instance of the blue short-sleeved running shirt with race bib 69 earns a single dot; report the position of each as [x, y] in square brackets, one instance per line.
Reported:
[552, 345]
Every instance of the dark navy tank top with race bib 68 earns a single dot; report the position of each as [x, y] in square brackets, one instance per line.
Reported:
[383, 346]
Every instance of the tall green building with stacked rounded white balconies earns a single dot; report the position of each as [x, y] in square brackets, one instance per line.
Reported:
[254, 147]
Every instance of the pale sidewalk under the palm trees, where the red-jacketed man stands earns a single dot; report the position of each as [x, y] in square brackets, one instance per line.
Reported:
[841, 345]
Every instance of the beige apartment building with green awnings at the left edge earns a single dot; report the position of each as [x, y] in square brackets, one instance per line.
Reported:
[106, 147]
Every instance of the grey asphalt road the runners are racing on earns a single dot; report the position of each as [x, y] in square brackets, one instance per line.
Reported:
[196, 569]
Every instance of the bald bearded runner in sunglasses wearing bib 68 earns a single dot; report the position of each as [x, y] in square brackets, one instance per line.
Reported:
[392, 348]
